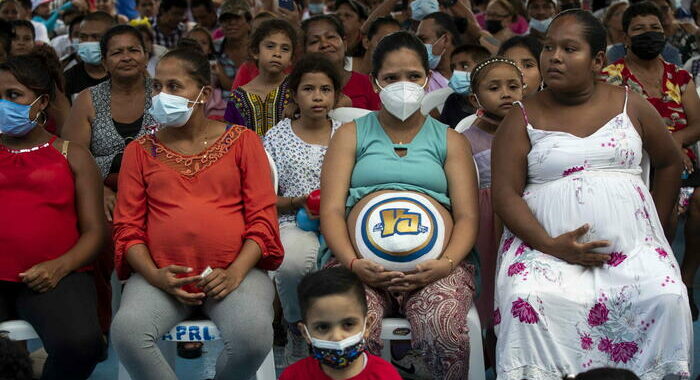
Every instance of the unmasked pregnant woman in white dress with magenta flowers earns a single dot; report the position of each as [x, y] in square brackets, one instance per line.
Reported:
[586, 277]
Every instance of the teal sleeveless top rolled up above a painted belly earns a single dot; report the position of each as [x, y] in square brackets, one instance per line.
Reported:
[378, 167]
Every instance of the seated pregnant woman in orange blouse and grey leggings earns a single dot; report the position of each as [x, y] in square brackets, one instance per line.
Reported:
[195, 229]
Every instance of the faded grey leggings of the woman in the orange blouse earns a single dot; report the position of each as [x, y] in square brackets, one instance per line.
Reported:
[244, 319]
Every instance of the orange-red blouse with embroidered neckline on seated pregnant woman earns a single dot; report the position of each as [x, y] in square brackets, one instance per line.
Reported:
[196, 211]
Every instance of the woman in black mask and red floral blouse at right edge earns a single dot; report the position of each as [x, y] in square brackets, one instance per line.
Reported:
[671, 90]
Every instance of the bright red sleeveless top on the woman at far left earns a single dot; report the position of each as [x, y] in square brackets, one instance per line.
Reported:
[38, 218]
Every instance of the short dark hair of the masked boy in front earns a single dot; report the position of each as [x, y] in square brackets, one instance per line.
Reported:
[328, 282]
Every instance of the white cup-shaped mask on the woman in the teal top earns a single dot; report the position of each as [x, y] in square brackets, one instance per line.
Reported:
[402, 99]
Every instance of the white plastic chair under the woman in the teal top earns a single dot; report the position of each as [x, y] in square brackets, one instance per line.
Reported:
[399, 329]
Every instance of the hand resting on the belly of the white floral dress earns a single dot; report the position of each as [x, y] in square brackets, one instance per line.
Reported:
[567, 247]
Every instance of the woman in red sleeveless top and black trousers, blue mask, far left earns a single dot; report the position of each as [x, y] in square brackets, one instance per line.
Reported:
[51, 224]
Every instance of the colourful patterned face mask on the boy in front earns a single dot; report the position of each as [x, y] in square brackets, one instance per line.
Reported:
[340, 354]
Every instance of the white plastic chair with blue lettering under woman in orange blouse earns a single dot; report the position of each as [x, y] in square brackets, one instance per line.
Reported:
[200, 331]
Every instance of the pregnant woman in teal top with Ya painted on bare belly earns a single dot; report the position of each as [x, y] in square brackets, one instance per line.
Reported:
[396, 184]
